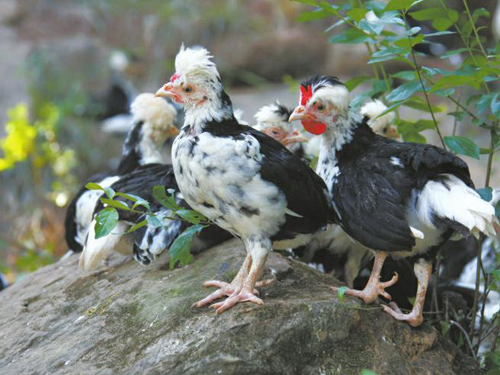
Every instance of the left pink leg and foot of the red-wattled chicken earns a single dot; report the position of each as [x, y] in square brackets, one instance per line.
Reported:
[374, 287]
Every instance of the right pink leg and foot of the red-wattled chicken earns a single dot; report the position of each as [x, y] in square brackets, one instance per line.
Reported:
[423, 272]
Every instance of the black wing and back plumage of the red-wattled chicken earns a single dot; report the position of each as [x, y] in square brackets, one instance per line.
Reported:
[378, 177]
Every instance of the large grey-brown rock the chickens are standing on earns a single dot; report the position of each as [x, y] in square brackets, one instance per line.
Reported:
[128, 319]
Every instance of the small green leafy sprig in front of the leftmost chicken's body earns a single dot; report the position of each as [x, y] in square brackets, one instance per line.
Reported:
[107, 218]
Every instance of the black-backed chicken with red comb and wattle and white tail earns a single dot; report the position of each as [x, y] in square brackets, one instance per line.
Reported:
[397, 198]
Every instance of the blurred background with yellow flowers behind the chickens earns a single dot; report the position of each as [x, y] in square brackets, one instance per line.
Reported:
[69, 66]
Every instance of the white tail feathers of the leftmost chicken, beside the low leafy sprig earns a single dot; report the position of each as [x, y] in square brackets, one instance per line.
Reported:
[97, 249]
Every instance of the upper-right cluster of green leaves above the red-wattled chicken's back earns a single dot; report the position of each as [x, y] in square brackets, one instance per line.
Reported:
[373, 23]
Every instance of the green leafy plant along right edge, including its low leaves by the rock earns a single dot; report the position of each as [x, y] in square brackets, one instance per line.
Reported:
[465, 92]
